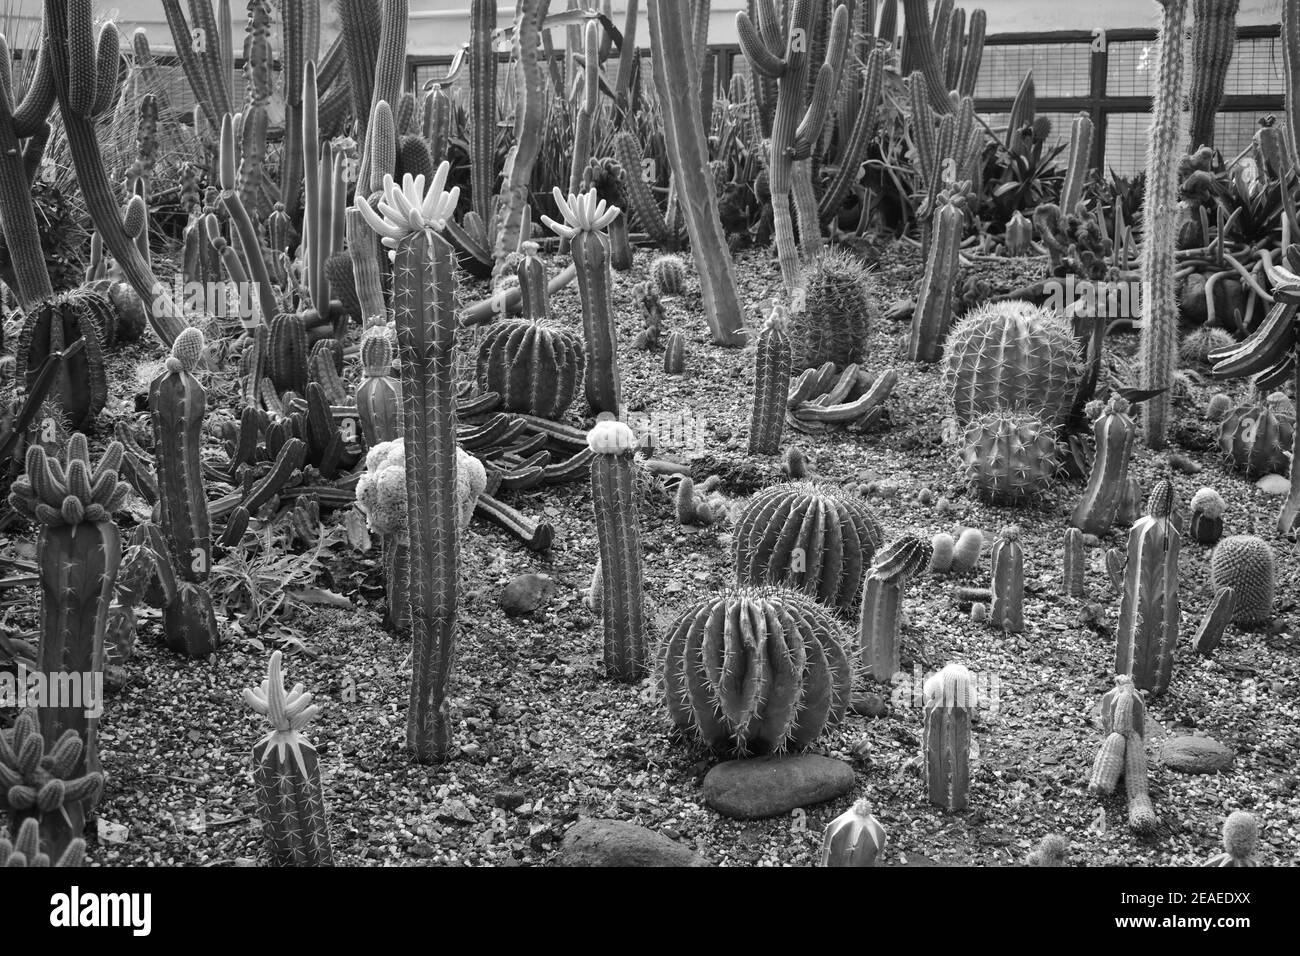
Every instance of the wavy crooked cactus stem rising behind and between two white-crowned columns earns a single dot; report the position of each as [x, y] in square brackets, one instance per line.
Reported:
[530, 120]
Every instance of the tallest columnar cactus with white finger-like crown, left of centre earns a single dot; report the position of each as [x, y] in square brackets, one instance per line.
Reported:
[426, 312]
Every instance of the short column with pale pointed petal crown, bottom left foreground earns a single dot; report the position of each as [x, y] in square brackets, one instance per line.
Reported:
[287, 772]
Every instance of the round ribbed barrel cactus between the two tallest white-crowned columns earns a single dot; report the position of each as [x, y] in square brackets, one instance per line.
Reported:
[535, 369]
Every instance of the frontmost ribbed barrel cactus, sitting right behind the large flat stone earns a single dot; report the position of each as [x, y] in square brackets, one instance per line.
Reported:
[756, 671]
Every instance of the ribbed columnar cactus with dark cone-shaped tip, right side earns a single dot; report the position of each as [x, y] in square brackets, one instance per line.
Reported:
[1149, 613]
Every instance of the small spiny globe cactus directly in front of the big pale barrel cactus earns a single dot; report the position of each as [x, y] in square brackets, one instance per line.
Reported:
[1009, 457]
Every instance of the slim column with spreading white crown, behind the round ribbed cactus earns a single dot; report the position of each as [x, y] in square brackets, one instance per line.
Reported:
[586, 217]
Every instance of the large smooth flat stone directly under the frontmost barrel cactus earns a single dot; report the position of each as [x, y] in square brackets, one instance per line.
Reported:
[774, 786]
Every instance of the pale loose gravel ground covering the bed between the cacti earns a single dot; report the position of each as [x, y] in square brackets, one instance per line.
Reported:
[544, 738]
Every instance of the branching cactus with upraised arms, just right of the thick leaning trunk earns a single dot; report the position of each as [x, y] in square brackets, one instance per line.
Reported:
[795, 128]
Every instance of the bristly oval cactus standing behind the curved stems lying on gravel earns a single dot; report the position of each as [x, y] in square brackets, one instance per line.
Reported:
[834, 310]
